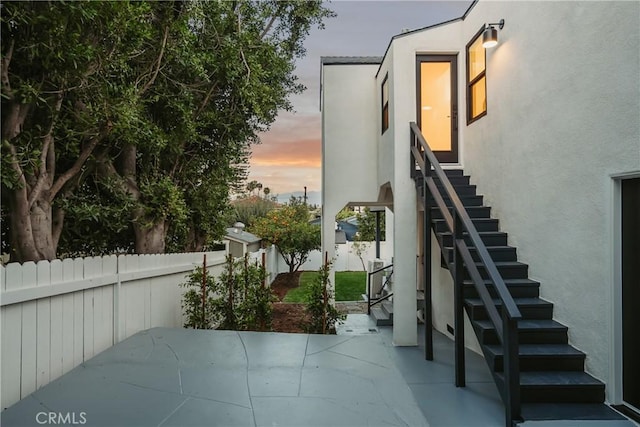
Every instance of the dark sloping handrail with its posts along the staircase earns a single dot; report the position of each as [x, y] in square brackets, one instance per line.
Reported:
[458, 223]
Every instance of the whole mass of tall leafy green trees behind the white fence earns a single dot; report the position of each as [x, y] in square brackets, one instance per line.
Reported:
[139, 113]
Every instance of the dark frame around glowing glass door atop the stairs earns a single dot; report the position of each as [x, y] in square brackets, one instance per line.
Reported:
[452, 156]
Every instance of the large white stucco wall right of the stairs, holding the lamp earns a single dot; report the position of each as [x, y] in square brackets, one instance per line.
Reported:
[563, 116]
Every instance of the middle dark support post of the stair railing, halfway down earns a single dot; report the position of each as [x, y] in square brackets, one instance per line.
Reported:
[458, 278]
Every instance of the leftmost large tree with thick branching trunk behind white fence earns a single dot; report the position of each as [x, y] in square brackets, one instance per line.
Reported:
[56, 106]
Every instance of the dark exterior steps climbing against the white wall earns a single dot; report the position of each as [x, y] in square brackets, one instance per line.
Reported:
[553, 382]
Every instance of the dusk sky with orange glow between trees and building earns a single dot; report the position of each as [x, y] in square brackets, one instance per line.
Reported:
[289, 156]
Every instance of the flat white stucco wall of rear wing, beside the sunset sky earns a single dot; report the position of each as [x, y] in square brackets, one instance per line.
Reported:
[349, 152]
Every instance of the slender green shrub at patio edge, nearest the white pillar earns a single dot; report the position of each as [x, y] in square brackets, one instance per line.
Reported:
[323, 316]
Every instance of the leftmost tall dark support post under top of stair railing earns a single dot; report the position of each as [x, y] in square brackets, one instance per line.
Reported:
[426, 241]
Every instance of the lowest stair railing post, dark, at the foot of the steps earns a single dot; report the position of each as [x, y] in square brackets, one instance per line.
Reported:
[511, 368]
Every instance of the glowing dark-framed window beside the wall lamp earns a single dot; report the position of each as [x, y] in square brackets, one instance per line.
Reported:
[476, 79]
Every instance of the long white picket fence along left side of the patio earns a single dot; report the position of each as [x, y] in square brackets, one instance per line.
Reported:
[57, 314]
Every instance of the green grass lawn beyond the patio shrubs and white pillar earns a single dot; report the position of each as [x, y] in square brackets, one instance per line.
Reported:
[350, 285]
